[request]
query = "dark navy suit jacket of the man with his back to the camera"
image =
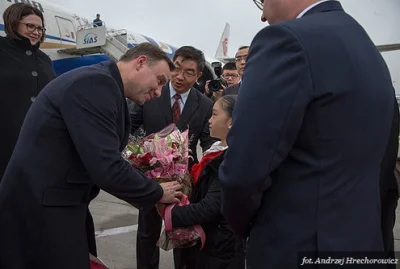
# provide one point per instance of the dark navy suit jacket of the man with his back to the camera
(309, 134)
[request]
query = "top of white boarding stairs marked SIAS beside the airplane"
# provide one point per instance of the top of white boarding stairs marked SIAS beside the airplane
(95, 40)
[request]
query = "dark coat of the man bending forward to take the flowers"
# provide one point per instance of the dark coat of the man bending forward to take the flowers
(71, 139)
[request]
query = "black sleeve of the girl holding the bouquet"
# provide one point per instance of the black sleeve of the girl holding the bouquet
(207, 210)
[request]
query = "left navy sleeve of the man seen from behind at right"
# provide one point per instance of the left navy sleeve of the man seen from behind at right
(273, 98)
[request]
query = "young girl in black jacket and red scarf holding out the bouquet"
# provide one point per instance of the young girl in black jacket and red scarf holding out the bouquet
(222, 249)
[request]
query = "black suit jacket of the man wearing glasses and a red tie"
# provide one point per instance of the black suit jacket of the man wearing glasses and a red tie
(157, 113)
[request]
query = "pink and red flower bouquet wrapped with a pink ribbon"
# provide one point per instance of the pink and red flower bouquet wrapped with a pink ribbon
(164, 157)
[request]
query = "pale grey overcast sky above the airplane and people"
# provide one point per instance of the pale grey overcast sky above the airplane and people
(200, 22)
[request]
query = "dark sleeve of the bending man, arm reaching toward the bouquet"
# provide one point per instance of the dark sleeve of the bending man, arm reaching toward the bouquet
(90, 109)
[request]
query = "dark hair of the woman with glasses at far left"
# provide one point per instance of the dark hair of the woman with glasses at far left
(13, 15)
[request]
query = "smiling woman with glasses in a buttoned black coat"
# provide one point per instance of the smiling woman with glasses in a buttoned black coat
(25, 70)
